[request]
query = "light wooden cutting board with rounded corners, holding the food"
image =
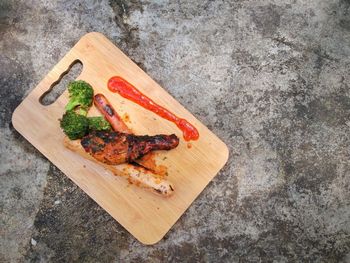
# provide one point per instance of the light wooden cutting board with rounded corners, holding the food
(145, 215)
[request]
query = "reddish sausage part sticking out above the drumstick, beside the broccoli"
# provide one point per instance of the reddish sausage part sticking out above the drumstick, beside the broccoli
(110, 114)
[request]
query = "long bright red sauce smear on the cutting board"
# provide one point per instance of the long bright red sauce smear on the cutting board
(128, 91)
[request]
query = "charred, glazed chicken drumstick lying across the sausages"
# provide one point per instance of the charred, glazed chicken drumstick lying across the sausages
(116, 147)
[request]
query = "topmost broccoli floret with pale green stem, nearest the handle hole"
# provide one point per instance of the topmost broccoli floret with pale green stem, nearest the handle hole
(80, 94)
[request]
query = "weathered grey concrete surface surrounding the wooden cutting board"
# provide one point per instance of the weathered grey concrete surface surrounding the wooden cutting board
(270, 78)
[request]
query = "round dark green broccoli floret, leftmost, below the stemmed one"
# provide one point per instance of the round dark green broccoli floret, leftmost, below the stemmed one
(74, 125)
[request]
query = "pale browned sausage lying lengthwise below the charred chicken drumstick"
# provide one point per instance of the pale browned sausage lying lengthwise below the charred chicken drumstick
(137, 175)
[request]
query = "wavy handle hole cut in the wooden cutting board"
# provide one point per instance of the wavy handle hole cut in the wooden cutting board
(59, 86)
